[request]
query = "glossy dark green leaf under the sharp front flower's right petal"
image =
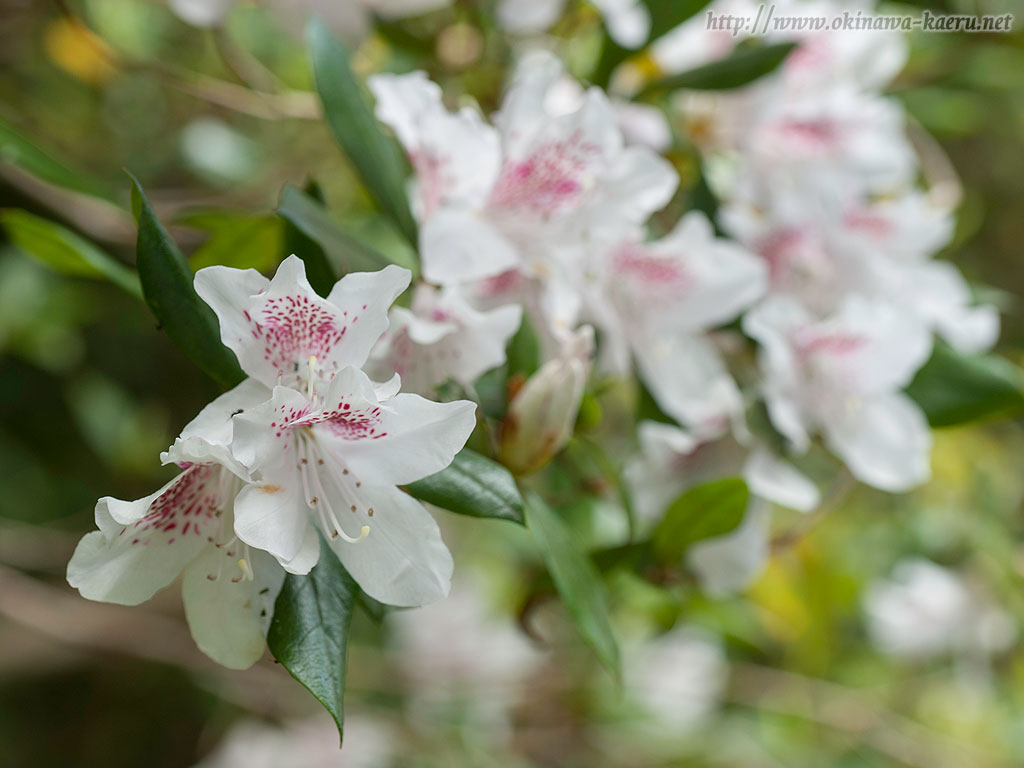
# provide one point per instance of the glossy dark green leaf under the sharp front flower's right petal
(473, 486)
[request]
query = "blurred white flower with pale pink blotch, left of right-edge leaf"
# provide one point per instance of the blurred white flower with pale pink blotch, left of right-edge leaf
(844, 376)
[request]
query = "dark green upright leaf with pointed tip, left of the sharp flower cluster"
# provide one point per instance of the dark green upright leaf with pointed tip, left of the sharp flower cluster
(167, 286)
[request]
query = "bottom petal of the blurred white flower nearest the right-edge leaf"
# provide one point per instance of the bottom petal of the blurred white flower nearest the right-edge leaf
(886, 442)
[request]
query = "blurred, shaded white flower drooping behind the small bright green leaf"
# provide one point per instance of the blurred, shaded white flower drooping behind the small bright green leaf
(672, 461)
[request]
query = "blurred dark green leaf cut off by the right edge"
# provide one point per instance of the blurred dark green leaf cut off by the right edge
(954, 389)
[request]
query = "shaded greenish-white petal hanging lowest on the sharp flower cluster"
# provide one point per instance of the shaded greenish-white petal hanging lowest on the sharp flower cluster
(229, 616)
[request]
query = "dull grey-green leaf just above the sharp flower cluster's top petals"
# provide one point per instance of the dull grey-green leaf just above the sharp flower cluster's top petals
(345, 254)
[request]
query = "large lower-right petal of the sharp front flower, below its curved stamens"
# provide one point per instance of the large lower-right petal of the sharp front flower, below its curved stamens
(403, 562)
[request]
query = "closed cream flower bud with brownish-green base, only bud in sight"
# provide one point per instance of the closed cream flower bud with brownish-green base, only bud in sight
(543, 413)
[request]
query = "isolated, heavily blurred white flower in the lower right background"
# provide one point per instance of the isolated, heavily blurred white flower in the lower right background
(925, 610)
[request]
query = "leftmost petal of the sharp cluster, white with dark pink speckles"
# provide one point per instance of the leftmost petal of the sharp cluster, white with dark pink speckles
(129, 564)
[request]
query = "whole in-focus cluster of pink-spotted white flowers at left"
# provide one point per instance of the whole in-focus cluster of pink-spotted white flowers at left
(309, 447)
